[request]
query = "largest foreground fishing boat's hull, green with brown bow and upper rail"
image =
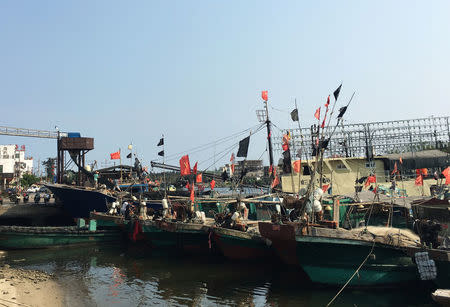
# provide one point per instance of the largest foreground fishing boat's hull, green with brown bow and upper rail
(331, 256)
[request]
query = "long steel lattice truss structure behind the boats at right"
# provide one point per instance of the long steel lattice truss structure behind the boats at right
(371, 139)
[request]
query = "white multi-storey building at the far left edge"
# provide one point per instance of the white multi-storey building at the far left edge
(13, 163)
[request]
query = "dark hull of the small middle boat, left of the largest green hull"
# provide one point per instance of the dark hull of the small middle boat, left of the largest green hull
(238, 245)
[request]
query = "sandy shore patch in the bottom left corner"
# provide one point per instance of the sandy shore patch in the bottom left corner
(21, 287)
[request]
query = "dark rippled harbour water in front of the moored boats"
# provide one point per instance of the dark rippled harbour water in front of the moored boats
(124, 276)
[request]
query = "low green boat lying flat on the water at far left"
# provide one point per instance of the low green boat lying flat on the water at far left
(22, 237)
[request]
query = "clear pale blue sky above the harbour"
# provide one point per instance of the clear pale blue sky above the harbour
(193, 71)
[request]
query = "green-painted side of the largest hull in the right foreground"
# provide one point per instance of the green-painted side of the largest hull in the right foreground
(333, 261)
